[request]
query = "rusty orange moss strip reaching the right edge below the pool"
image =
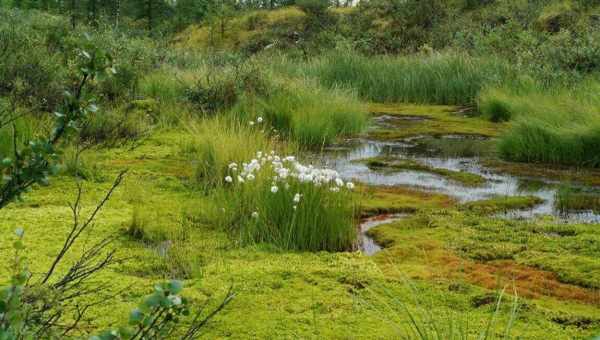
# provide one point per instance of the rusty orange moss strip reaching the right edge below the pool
(428, 259)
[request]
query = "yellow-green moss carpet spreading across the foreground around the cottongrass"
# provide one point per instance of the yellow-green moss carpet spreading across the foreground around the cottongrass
(299, 294)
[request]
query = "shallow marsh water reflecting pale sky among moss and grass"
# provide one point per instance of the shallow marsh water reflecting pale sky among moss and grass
(455, 153)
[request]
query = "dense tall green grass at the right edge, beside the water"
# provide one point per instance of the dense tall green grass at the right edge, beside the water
(555, 126)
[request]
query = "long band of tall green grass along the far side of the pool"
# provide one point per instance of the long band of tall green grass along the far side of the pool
(452, 79)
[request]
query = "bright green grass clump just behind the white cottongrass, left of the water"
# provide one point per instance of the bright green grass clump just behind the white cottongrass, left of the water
(307, 114)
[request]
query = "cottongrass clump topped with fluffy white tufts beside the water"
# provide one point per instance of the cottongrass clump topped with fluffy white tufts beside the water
(280, 201)
